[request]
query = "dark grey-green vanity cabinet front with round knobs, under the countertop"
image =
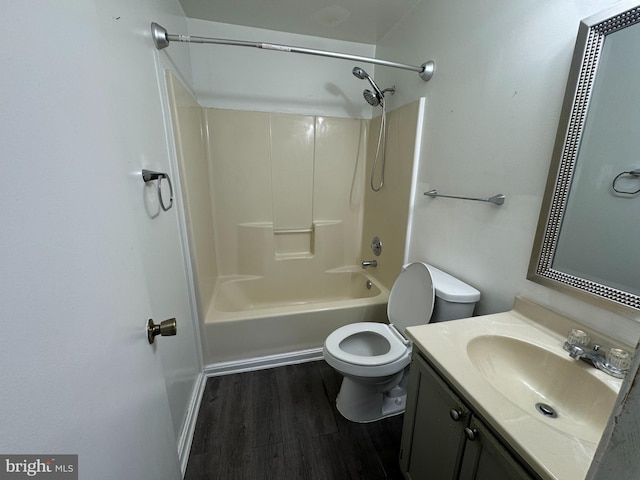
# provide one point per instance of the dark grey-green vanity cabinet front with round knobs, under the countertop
(442, 439)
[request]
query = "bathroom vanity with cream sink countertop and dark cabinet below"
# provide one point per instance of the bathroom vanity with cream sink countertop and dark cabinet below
(497, 397)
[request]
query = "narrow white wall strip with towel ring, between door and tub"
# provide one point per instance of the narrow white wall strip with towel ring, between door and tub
(137, 111)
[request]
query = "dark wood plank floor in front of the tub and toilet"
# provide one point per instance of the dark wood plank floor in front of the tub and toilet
(282, 424)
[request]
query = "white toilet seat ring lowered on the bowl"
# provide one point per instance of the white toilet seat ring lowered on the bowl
(343, 344)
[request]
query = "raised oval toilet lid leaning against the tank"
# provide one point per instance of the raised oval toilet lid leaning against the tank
(412, 296)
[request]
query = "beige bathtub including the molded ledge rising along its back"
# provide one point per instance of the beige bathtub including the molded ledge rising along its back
(282, 302)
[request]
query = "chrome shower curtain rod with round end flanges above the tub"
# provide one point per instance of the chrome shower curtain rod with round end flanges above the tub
(161, 39)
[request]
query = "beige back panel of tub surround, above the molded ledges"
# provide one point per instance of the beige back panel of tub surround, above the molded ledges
(287, 172)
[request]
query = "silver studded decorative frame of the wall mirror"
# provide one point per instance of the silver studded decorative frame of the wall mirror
(592, 33)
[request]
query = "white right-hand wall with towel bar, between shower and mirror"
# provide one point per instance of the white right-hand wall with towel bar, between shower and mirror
(491, 118)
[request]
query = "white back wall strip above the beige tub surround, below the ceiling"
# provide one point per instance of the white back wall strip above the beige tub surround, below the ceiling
(246, 78)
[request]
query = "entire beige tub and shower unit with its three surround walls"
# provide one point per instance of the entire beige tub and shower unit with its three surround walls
(278, 208)
